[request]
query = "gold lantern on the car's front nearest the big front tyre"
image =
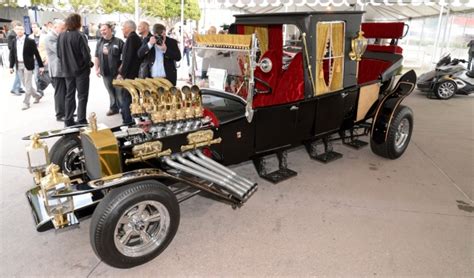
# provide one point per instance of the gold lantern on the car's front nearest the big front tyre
(59, 208)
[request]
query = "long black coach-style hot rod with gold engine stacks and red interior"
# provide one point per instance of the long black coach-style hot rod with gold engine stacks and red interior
(288, 80)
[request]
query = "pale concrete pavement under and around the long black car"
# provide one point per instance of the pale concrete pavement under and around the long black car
(361, 215)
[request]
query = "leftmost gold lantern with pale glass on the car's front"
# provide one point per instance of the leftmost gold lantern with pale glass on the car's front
(38, 158)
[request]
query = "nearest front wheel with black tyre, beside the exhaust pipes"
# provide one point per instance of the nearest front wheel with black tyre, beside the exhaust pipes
(134, 223)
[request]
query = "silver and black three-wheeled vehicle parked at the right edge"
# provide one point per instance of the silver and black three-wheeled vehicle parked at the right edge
(450, 77)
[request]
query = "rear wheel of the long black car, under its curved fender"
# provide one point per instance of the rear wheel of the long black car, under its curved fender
(399, 135)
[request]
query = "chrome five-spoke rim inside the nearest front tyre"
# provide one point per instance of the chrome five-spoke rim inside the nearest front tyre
(142, 228)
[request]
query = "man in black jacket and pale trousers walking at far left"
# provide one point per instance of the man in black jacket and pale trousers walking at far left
(22, 56)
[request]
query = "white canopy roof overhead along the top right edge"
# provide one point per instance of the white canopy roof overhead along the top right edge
(376, 10)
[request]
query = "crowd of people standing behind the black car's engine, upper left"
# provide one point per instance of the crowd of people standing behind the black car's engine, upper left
(63, 55)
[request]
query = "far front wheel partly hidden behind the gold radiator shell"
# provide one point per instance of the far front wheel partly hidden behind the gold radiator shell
(67, 154)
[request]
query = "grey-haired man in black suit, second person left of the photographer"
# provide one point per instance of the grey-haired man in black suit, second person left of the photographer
(130, 65)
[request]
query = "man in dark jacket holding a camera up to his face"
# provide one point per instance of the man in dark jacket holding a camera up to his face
(160, 54)
